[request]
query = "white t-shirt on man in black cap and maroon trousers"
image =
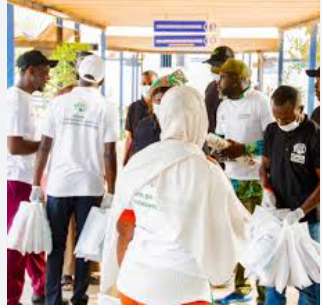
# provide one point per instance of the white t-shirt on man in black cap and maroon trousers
(20, 124)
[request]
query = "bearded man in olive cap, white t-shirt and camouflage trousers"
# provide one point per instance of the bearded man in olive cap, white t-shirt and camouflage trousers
(242, 119)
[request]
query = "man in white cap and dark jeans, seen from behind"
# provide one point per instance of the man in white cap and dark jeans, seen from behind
(80, 131)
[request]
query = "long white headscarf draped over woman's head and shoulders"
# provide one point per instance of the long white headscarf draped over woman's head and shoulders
(196, 197)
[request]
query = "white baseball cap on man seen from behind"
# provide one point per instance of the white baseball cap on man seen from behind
(92, 69)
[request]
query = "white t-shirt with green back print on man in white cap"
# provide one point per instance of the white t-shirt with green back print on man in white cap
(80, 124)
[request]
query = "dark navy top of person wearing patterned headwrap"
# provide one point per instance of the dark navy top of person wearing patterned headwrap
(148, 131)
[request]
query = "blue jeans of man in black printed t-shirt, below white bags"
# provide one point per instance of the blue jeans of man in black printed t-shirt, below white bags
(308, 296)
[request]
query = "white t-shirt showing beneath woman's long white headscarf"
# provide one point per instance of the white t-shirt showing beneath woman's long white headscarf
(156, 268)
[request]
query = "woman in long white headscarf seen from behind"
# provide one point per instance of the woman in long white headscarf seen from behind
(189, 225)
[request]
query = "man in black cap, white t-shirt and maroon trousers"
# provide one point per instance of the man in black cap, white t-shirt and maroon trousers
(33, 75)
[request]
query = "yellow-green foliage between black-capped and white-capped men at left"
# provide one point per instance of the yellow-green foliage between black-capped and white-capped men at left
(64, 74)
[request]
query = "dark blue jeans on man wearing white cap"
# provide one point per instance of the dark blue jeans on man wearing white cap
(59, 211)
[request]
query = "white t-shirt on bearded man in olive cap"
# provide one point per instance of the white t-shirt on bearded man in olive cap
(245, 121)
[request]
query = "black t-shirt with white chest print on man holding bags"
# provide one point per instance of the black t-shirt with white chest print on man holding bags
(294, 158)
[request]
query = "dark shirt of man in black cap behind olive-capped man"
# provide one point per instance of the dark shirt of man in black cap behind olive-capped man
(212, 101)
